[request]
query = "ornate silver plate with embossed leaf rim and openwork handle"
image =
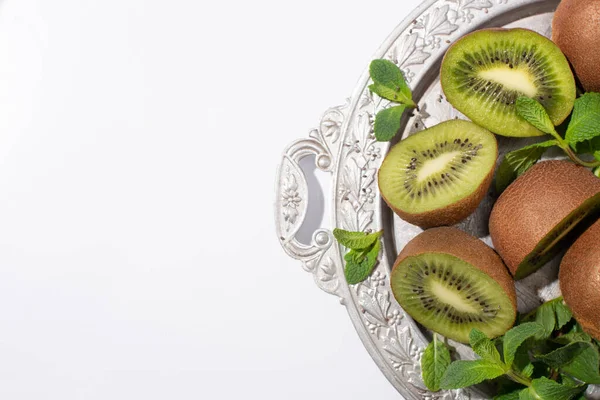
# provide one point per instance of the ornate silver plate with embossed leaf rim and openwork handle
(344, 146)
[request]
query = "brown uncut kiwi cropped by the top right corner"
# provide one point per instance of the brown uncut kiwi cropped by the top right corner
(576, 31)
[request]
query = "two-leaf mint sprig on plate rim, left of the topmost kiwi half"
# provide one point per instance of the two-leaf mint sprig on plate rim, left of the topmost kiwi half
(389, 83)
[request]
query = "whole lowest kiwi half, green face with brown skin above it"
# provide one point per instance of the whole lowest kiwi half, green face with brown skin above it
(451, 282)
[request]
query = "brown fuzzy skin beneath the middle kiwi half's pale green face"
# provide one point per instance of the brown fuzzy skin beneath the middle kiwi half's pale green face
(451, 214)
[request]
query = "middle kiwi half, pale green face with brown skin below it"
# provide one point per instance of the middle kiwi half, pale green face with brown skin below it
(439, 176)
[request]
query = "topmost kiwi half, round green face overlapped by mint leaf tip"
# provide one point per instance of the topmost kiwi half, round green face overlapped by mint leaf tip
(485, 72)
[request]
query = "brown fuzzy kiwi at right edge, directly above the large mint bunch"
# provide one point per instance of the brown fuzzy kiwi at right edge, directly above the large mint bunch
(579, 279)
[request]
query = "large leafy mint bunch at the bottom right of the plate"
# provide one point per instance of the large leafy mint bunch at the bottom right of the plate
(546, 356)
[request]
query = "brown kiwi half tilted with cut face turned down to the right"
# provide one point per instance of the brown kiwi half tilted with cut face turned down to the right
(539, 210)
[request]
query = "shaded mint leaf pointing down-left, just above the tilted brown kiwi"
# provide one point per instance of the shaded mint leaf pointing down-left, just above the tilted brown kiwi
(517, 162)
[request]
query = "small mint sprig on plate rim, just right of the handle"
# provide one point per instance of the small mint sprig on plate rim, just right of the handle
(362, 257)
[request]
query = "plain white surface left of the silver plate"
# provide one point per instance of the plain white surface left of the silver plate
(127, 130)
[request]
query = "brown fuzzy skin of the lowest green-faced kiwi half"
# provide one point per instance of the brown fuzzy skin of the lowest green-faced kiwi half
(459, 244)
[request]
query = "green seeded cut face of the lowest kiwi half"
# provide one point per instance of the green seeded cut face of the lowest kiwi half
(451, 297)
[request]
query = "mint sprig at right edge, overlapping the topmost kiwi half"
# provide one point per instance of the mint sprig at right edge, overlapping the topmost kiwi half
(582, 136)
